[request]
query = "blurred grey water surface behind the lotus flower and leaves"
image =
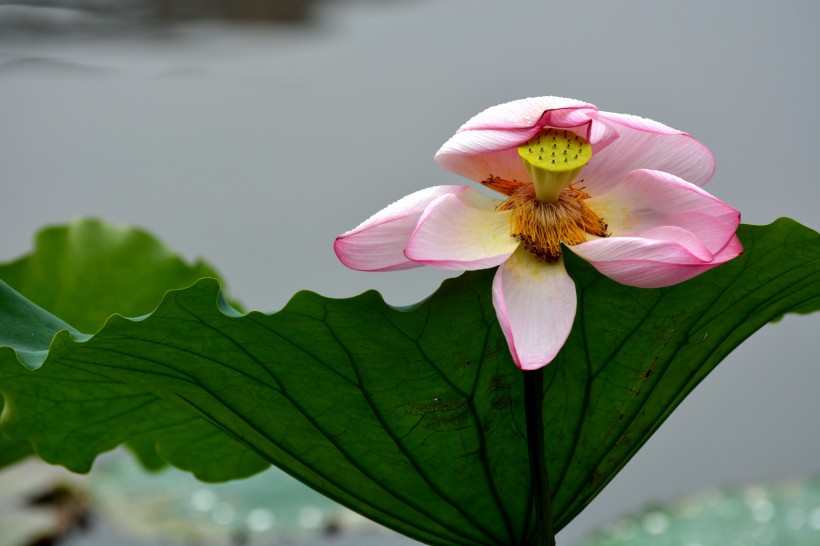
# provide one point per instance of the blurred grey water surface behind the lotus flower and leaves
(250, 133)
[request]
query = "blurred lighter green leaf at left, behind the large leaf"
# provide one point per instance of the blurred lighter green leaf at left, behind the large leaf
(85, 272)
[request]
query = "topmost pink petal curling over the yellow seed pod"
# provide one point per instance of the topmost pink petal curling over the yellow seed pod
(485, 145)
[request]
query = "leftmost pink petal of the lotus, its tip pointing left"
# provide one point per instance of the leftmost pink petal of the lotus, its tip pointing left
(378, 243)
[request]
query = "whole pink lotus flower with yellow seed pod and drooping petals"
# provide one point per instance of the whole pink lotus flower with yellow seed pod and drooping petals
(620, 191)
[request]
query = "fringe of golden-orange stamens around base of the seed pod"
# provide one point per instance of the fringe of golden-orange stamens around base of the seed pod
(542, 227)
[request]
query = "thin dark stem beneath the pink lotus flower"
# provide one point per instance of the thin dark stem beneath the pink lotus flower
(534, 407)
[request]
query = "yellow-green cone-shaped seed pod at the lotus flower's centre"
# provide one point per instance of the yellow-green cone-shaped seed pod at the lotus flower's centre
(553, 159)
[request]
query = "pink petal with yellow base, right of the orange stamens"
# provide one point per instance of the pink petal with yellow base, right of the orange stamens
(649, 199)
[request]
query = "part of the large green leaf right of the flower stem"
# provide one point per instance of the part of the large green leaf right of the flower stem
(635, 354)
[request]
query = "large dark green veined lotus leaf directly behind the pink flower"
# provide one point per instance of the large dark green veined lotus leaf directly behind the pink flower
(413, 417)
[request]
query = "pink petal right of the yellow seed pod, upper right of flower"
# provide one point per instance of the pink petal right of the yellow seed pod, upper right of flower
(645, 144)
